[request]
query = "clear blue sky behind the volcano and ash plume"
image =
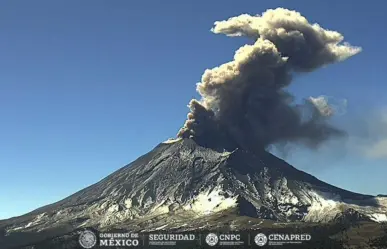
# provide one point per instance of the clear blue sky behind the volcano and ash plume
(88, 86)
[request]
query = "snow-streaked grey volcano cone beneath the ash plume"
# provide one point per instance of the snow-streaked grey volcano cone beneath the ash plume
(181, 186)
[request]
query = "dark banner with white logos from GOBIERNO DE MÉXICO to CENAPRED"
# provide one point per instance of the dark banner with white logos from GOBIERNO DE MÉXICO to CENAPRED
(215, 239)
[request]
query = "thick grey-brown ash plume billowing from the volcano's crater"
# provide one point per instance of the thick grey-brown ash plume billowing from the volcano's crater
(246, 99)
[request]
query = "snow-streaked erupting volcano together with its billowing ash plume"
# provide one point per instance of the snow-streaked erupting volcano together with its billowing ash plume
(217, 173)
